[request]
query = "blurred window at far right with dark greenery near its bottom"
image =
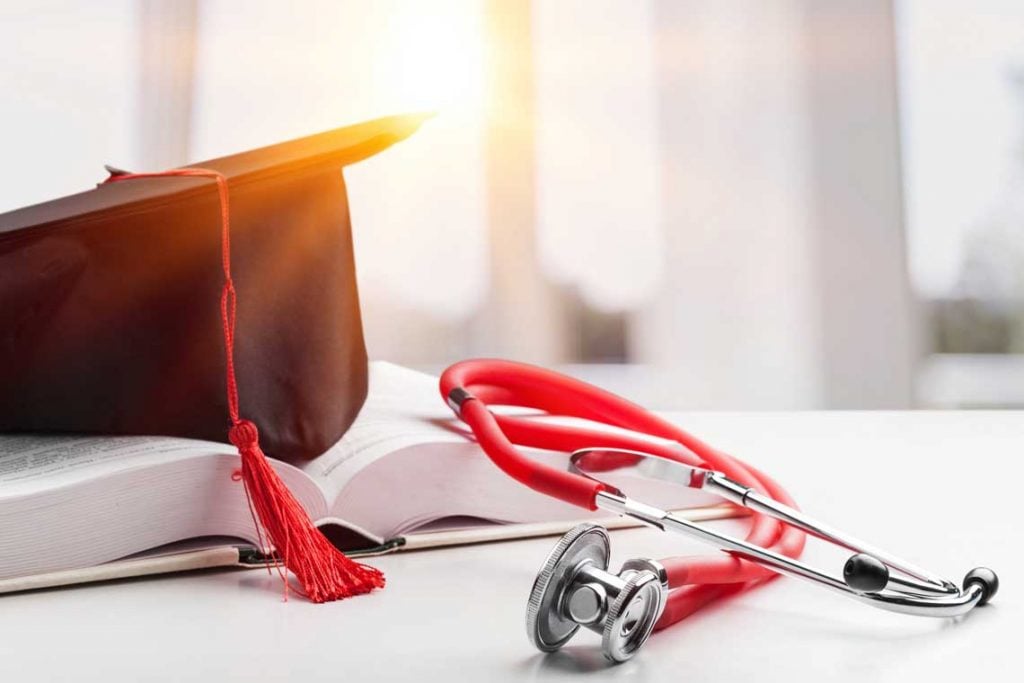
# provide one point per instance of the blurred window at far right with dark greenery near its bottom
(962, 97)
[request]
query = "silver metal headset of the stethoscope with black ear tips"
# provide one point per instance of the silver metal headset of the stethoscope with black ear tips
(867, 576)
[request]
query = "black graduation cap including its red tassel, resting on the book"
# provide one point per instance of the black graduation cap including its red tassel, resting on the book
(201, 303)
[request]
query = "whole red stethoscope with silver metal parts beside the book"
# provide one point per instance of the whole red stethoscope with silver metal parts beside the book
(575, 587)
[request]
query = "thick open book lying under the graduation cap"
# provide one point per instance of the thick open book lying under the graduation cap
(406, 476)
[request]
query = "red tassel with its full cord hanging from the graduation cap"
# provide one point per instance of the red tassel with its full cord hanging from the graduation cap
(322, 570)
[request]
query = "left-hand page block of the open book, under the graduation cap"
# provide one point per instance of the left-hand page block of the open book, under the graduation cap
(72, 502)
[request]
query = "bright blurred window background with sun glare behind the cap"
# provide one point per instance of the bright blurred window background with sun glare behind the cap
(782, 204)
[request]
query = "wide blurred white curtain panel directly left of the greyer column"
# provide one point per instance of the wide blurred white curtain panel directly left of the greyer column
(736, 323)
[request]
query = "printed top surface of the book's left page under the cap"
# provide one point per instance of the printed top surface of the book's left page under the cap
(44, 461)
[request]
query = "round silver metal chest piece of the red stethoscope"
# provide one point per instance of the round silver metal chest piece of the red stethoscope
(575, 588)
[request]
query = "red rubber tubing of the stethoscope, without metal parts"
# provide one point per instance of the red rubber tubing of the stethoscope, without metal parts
(697, 581)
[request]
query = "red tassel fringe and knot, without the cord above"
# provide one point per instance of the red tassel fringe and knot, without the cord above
(322, 570)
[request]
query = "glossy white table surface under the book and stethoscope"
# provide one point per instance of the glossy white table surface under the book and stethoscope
(942, 489)
